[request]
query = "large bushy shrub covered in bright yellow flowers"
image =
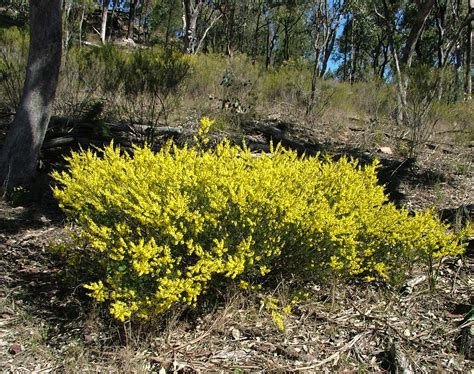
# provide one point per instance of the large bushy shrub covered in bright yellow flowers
(166, 227)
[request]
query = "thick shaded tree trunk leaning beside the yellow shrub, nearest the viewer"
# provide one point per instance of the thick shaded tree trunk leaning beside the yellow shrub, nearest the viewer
(19, 154)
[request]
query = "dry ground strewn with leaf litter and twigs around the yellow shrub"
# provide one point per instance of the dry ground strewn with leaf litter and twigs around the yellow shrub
(47, 324)
